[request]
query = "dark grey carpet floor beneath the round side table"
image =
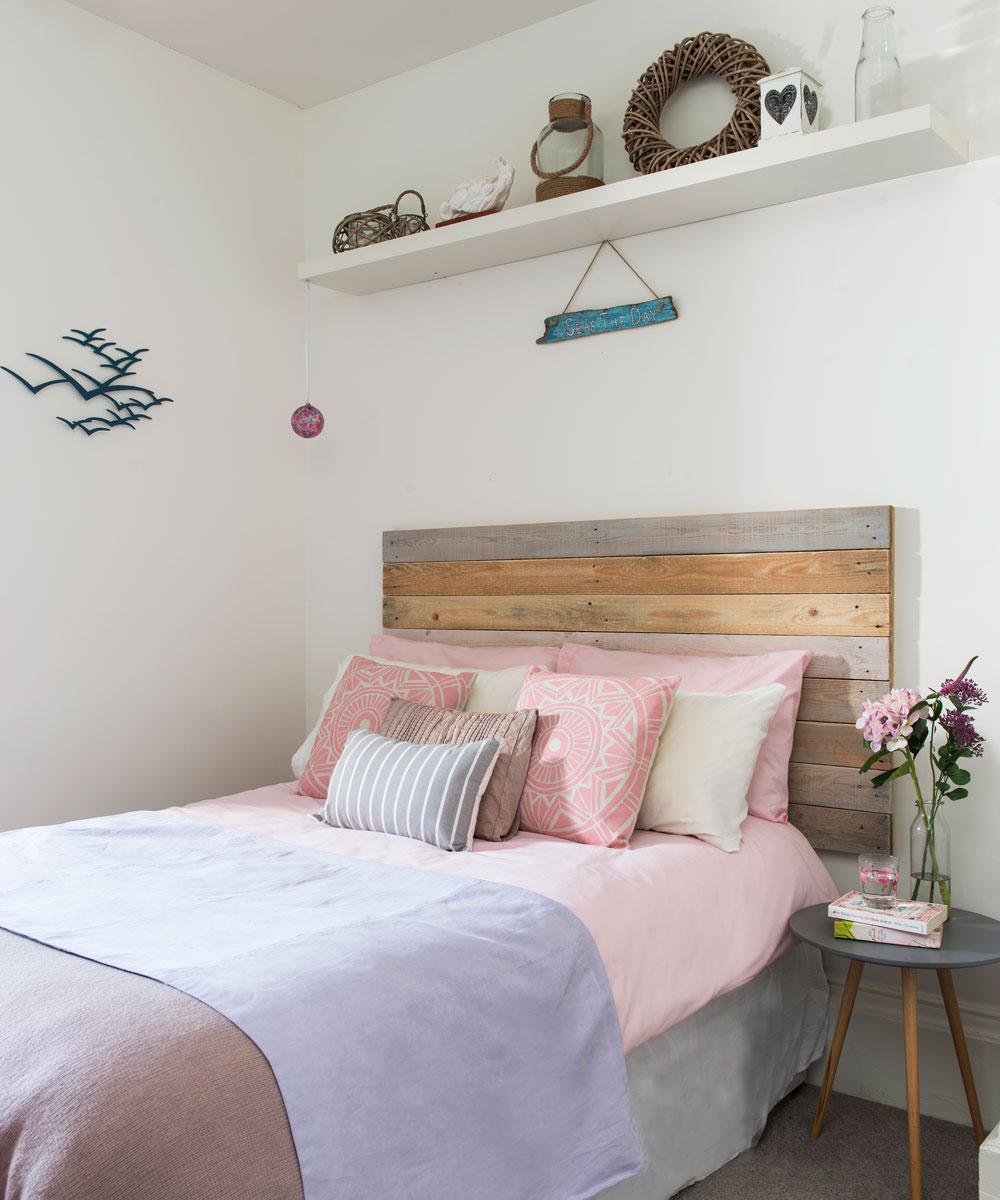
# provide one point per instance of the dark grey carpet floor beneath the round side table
(861, 1155)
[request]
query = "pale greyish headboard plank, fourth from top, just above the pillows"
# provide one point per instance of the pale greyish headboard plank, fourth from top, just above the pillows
(834, 658)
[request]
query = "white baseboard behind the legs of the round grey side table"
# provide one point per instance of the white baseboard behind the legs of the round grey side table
(872, 1065)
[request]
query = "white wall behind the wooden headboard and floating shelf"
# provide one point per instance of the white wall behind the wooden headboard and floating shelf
(835, 352)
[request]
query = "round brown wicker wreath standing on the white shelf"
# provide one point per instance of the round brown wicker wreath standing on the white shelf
(742, 68)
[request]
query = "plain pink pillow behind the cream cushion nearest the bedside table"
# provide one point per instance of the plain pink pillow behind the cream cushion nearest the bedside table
(769, 794)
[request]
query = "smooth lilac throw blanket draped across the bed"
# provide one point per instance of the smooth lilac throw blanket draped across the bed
(434, 1039)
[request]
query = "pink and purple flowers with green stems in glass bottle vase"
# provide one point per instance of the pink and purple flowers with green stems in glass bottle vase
(943, 722)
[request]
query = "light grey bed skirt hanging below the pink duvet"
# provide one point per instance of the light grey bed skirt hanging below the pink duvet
(702, 1091)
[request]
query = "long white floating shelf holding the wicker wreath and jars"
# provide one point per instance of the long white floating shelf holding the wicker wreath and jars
(785, 170)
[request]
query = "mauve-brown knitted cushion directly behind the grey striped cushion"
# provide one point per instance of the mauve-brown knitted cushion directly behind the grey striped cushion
(427, 725)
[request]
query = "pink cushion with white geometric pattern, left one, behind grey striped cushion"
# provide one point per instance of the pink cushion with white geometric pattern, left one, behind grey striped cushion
(360, 703)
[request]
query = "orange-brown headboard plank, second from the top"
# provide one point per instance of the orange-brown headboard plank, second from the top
(833, 571)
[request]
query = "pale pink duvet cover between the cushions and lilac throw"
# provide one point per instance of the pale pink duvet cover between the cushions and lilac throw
(678, 922)
